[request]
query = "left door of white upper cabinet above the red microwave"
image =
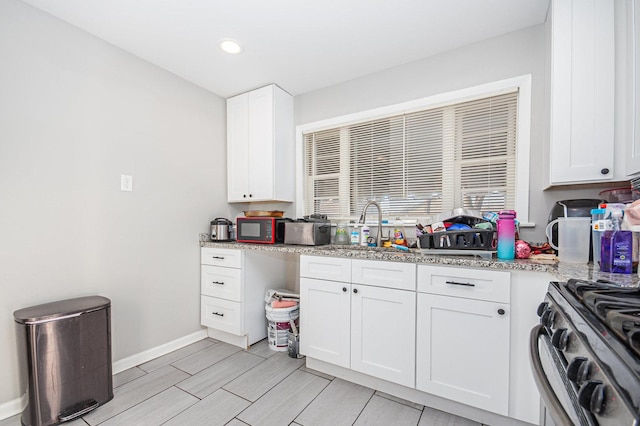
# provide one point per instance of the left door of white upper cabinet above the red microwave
(238, 148)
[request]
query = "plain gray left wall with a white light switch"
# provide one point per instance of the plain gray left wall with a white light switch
(75, 113)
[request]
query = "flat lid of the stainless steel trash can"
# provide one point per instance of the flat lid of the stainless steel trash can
(62, 308)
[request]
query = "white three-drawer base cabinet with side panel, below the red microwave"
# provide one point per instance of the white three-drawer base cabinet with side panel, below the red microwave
(233, 284)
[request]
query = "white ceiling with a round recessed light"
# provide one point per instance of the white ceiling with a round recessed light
(301, 45)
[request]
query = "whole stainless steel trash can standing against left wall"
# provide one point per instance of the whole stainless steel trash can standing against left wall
(64, 351)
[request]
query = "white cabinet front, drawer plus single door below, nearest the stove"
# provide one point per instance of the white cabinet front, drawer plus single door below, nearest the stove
(463, 336)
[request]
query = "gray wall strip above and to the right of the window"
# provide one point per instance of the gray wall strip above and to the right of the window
(518, 53)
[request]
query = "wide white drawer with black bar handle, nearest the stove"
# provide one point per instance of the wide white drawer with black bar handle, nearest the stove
(479, 284)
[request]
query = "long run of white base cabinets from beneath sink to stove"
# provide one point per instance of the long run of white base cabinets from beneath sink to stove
(455, 338)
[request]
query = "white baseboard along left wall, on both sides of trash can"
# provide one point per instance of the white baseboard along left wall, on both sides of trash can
(15, 406)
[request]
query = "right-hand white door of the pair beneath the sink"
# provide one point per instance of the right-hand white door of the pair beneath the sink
(383, 333)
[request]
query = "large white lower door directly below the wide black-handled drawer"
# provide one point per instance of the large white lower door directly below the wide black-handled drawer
(463, 351)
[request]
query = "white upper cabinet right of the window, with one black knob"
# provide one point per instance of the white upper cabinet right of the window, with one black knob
(582, 85)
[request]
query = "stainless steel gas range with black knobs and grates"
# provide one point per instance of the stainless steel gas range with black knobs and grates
(586, 353)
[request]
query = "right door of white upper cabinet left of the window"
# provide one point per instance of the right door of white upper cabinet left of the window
(261, 144)
